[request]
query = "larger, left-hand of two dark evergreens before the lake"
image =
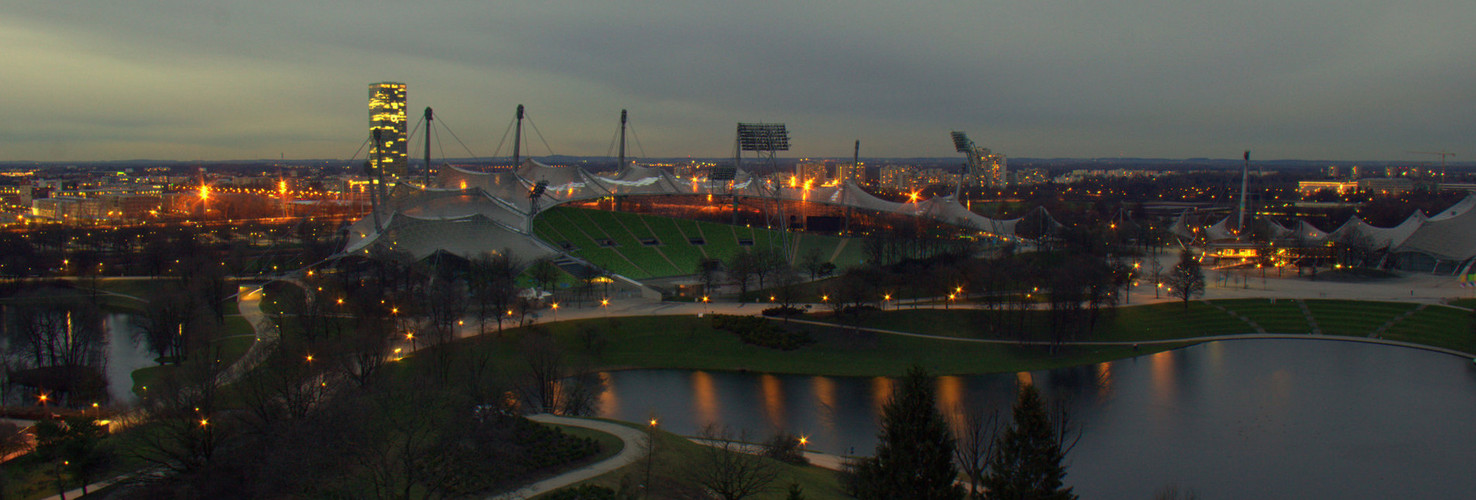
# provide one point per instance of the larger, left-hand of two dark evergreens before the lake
(916, 452)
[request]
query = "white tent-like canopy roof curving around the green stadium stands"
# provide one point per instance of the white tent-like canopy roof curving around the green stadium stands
(472, 213)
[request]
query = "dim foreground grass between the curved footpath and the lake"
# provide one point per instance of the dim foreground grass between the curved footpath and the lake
(675, 458)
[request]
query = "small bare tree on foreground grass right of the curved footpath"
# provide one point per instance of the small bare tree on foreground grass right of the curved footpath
(728, 471)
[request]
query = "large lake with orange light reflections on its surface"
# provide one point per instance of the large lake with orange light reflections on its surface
(1241, 420)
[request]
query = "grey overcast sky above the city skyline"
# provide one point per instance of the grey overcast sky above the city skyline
(1049, 79)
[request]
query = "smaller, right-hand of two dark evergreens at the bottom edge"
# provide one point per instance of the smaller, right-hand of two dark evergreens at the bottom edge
(1028, 458)
